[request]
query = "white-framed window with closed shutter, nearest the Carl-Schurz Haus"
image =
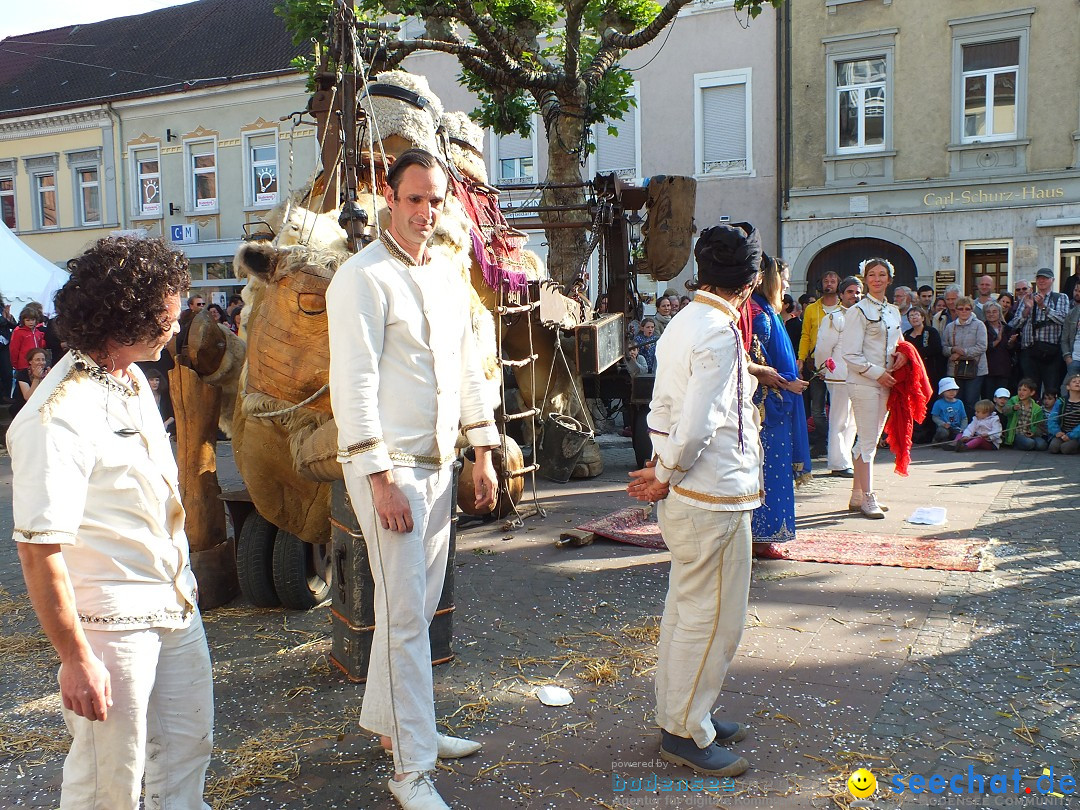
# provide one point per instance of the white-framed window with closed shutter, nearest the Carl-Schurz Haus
(723, 124)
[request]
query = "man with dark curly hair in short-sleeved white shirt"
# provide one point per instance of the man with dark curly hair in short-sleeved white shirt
(100, 529)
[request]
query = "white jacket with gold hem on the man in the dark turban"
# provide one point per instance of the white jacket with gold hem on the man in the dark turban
(703, 420)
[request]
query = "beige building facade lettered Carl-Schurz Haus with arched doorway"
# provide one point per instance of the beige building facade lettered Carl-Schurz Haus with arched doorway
(942, 137)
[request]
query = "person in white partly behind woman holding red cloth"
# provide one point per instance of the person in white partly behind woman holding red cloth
(842, 424)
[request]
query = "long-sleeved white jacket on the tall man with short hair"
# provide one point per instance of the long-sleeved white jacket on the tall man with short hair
(406, 372)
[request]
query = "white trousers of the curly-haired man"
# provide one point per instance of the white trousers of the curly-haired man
(161, 724)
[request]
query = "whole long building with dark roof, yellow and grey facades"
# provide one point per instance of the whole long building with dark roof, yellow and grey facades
(174, 124)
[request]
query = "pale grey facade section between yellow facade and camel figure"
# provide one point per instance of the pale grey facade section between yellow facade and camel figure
(204, 168)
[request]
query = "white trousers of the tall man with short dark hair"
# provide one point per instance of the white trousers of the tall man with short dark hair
(409, 570)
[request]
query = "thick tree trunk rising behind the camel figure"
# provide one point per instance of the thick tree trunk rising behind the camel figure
(566, 247)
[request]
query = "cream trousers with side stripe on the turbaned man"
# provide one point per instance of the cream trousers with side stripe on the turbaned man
(705, 614)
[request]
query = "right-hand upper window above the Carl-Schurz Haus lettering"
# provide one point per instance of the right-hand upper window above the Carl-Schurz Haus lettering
(991, 76)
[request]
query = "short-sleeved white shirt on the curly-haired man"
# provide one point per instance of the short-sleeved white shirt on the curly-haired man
(112, 503)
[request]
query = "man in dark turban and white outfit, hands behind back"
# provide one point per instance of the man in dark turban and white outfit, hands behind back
(707, 477)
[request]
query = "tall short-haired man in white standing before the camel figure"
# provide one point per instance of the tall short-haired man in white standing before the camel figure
(406, 376)
